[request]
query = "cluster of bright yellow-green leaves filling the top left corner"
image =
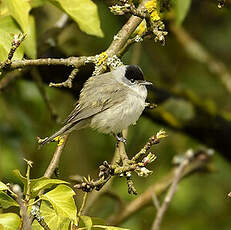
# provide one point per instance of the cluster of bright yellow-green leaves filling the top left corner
(19, 10)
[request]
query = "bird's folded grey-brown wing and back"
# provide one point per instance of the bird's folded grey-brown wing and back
(96, 96)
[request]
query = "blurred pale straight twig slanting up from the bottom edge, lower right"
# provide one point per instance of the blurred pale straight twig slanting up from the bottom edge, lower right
(172, 189)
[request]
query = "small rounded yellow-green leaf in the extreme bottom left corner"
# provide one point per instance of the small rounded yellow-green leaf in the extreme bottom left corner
(10, 221)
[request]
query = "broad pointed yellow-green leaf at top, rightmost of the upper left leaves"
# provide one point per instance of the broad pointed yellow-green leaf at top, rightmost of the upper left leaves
(85, 13)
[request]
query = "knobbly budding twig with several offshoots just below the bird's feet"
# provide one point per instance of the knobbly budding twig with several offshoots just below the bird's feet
(123, 168)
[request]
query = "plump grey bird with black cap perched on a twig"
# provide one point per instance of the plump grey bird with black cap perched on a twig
(109, 103)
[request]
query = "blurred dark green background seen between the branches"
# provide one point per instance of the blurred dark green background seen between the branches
(201, 200)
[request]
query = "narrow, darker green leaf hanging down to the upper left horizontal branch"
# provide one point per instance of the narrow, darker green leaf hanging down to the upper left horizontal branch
(30, 44)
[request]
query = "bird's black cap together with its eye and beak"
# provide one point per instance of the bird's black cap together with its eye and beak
(135, 74)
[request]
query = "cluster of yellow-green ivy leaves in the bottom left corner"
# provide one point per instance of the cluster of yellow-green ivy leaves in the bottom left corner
(58, 207)
